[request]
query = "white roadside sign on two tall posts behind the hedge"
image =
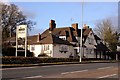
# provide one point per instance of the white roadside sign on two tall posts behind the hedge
(21, 33)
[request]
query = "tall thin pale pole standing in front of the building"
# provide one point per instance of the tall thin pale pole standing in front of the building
(80, 46)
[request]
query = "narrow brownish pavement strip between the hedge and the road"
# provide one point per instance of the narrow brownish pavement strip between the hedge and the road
(57, 63)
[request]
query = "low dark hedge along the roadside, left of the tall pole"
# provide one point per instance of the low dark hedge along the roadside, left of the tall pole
(34, 60)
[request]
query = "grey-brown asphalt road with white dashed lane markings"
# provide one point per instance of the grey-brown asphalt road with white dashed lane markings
(91, 70)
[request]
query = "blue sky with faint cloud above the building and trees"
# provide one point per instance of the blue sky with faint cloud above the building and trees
(67, 13)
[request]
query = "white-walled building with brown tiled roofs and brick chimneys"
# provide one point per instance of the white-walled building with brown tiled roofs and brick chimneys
(64, 42)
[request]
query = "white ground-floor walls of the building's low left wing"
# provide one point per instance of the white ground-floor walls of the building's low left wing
(54, 50)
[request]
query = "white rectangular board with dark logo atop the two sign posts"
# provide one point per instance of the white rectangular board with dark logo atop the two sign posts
(22, 31)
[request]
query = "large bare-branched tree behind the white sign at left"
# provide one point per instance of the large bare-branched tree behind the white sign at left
(12, 16)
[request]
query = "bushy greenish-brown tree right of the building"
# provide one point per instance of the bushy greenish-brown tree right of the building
(106, 32)
